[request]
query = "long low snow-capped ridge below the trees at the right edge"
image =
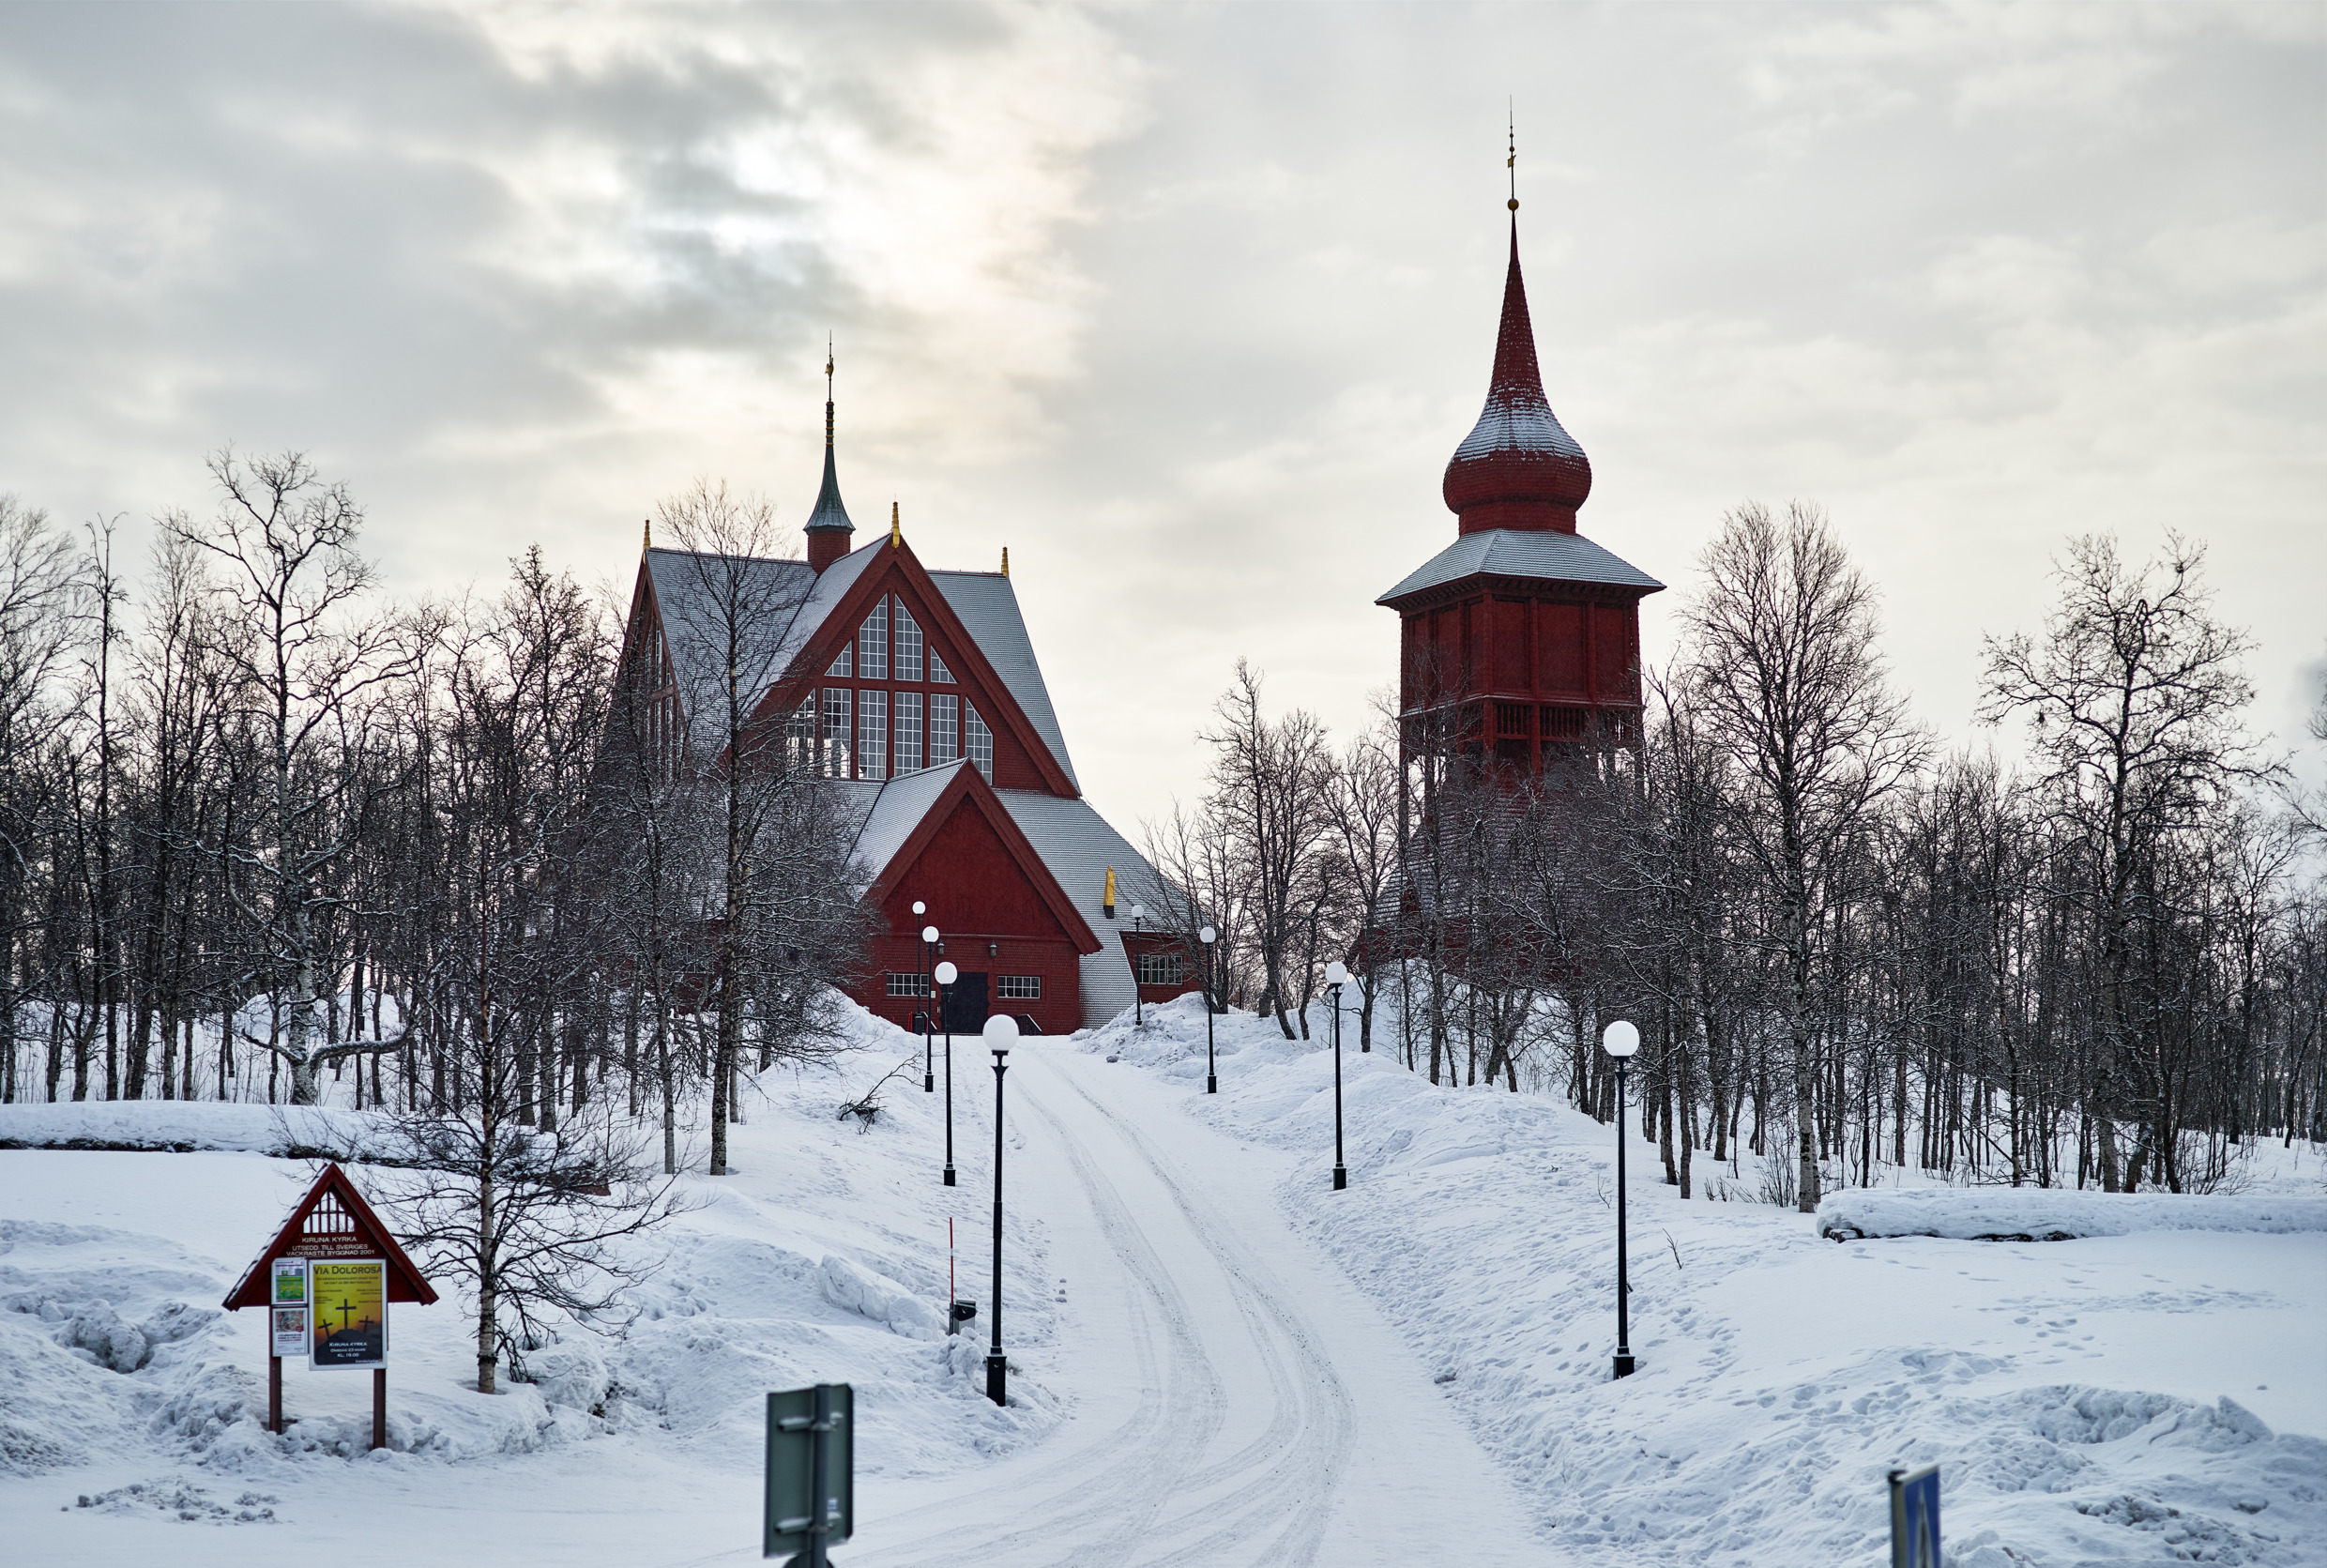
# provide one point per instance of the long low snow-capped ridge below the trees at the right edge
(2056, 1216)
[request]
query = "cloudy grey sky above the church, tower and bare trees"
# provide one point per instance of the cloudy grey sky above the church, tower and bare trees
(1188, 306)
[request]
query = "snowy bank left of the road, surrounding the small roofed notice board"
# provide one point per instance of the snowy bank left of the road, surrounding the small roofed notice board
(823, 1260)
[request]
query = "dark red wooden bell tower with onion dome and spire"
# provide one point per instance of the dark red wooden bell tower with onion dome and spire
(1521, 641)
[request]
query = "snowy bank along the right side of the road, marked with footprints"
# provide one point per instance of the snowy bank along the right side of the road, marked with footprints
(2105, 1402)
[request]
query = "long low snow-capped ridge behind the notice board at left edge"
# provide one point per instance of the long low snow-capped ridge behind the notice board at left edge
(185, 1127)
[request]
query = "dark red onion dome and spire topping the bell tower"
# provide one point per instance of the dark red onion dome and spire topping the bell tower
(1518, 469)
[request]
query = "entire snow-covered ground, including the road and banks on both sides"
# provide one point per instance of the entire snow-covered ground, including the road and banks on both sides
(1218, 1357)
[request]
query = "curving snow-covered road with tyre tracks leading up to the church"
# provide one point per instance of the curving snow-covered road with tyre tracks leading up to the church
(1237, 1402)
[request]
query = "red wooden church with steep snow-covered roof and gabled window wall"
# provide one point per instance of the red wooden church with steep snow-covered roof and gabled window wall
(923, 704)
